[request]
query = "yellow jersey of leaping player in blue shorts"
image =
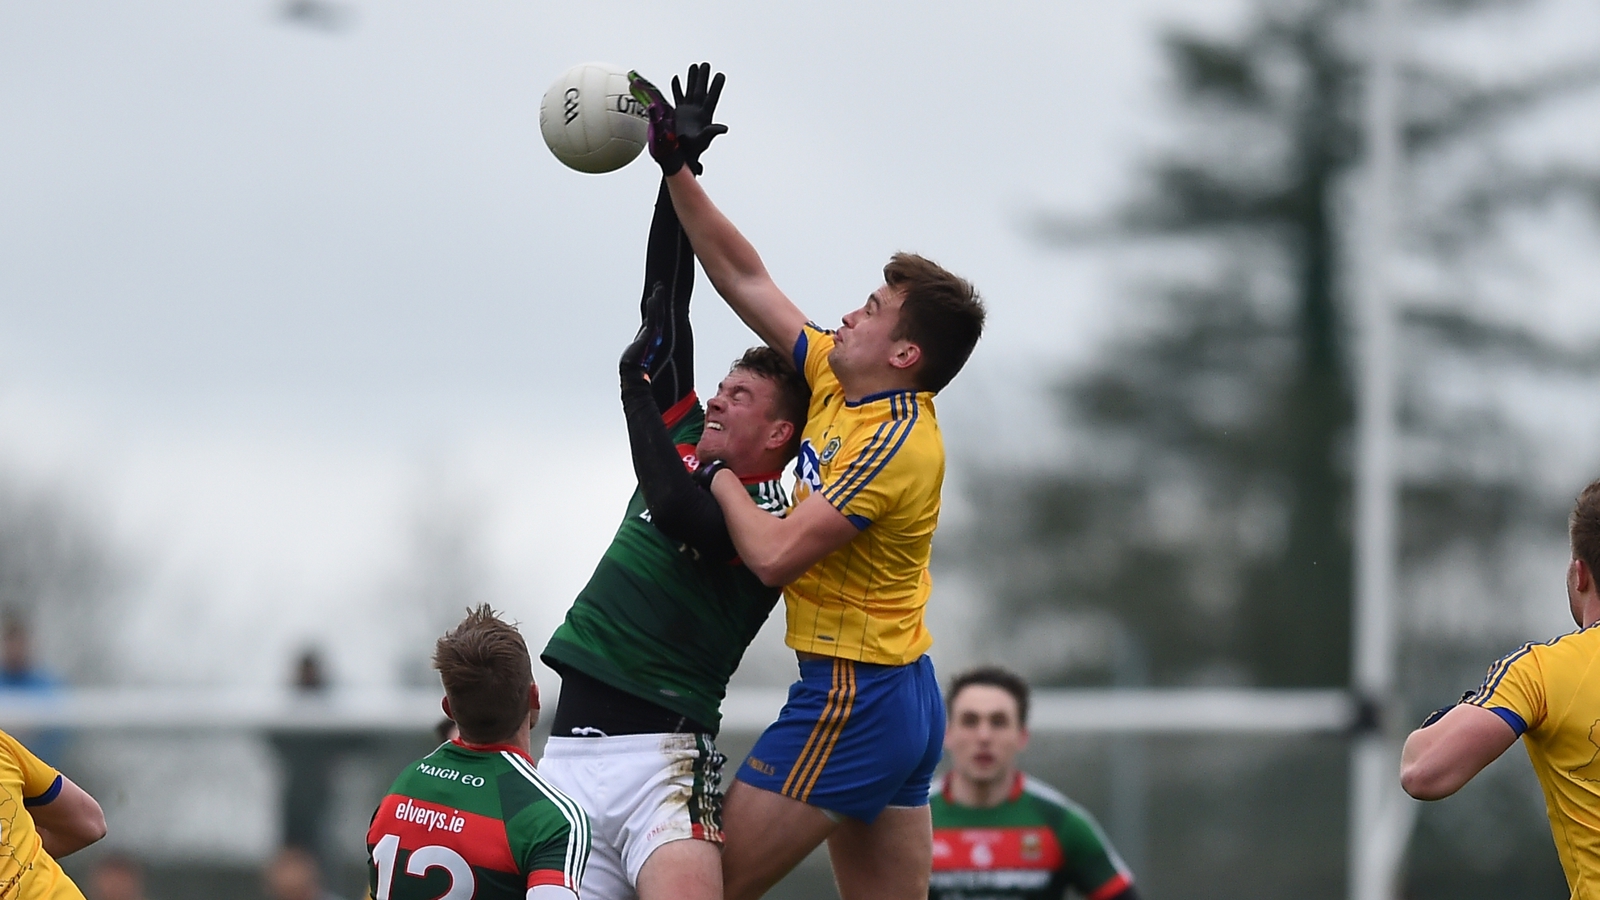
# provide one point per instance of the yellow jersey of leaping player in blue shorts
(881, 462)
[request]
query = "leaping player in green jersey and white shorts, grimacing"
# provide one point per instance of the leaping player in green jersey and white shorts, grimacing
(649, 646)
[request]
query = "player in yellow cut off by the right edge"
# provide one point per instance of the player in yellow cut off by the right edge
(1548, 696)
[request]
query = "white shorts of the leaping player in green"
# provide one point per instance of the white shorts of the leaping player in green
(641, 792)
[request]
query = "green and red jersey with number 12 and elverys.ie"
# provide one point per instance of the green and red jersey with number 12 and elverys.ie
(474, 824)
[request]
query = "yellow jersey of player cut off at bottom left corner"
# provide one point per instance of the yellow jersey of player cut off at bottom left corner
(26, 870)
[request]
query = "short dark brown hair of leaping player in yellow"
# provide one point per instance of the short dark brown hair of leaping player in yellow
(942, 315)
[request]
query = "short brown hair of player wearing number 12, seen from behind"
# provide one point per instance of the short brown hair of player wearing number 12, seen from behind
(484, 664)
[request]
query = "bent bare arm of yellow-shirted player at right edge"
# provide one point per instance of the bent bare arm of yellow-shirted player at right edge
(1442, 757)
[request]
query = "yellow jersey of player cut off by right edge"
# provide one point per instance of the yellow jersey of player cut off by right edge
(1550, 694)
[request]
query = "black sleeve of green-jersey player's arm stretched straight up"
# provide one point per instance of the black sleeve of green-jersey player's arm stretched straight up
(670, 260)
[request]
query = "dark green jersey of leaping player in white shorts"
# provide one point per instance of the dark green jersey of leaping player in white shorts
(655, 619)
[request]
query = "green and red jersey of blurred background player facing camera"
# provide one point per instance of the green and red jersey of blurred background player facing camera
(1030, 848)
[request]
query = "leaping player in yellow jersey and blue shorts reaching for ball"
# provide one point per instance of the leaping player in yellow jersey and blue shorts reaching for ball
(852, 757)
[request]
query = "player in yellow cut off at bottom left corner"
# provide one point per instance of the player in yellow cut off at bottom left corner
(44, 818)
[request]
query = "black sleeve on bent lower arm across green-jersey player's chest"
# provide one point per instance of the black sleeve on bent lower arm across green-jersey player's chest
(678, 507)
